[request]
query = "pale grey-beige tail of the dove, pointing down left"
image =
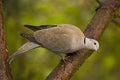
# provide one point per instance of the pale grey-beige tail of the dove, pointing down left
(26, 47)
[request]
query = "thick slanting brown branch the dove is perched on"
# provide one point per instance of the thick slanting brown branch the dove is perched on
(95, 28)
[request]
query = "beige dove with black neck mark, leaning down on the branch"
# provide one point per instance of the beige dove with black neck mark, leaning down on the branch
(58, 38)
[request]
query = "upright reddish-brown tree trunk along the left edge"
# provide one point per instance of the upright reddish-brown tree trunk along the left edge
(4, 67)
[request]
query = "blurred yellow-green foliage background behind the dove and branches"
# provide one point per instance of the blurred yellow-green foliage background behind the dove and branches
(38, 63)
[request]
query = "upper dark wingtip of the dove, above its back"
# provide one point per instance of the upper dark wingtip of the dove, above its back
(35, 28)
